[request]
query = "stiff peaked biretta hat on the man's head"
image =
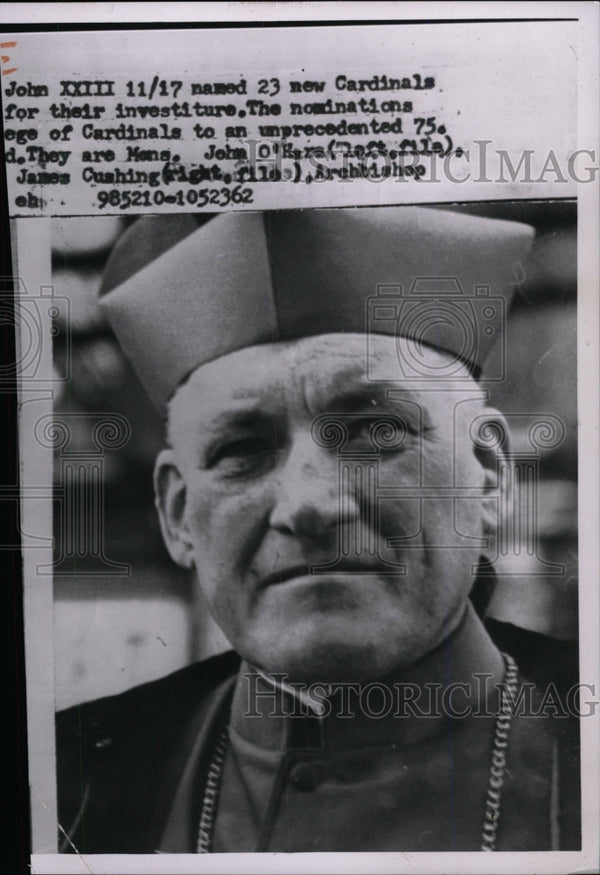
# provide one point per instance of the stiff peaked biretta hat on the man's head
(179, 294)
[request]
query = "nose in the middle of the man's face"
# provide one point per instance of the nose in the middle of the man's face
(310, 500)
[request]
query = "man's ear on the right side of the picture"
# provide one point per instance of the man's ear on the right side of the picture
(492, 450)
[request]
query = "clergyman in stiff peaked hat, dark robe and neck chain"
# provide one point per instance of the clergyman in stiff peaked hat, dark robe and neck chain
(325, 481)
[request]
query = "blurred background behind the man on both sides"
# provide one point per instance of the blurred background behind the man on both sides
(125, 614)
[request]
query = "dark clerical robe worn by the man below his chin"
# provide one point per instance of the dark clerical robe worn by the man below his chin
(401, 766)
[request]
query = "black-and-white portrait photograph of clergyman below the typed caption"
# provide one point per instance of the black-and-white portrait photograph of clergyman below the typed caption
(332, 477)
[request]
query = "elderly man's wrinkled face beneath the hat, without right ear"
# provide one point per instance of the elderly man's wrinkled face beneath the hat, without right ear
(257, 499)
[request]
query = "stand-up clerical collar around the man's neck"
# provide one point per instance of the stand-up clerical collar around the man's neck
(457, 679)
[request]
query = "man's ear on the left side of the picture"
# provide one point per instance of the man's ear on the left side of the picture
(170, 501)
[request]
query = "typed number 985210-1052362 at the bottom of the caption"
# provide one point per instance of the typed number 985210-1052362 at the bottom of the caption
(194, 197)
